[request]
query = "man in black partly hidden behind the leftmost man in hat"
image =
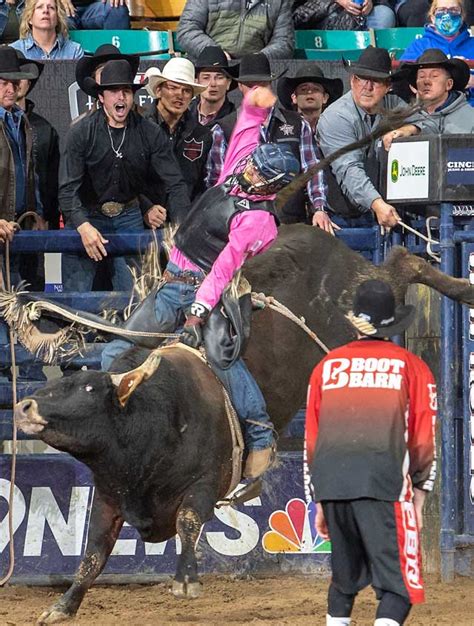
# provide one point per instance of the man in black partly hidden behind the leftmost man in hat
(45, 152)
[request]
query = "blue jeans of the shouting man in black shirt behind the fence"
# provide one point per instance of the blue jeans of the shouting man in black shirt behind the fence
(78, 271)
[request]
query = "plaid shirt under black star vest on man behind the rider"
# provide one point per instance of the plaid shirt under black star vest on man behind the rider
(309, 156)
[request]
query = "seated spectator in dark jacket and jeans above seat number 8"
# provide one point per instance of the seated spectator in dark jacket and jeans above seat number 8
(344, 15)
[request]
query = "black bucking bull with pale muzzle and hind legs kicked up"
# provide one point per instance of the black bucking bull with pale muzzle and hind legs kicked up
(163, 460)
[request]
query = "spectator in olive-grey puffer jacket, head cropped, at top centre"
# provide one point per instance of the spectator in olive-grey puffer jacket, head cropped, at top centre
(239, 28)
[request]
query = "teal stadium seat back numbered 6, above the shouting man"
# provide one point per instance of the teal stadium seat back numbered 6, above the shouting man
(128, 41)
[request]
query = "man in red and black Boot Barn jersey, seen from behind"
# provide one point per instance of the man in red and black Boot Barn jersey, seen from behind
(371, 456)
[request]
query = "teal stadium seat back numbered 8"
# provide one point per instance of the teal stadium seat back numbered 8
(333, 39)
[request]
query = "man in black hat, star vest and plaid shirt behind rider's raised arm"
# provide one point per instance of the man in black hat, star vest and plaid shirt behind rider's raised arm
(282, 126)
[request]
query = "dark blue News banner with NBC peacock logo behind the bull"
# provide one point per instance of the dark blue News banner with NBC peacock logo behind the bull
(52, 503)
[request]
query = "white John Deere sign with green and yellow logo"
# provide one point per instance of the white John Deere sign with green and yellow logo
(408, 171)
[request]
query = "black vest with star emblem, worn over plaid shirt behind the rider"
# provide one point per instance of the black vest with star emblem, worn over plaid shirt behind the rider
(285, 127)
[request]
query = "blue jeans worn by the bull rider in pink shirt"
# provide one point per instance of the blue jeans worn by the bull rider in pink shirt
(171, 302)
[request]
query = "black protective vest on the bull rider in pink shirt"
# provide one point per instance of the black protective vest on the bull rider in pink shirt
(205, 231)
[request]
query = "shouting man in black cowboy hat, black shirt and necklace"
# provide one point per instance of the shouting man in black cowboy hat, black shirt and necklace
(111, 157)
